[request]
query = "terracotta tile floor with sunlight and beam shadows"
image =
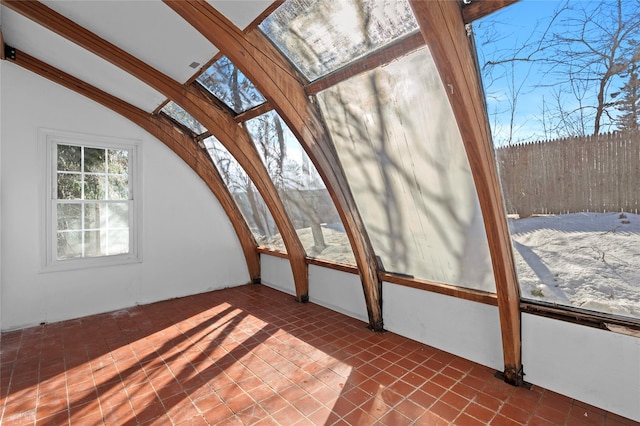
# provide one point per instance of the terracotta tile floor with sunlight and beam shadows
(251, 355)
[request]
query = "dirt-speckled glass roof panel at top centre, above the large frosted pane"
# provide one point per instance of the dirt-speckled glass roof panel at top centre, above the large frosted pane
(320, 36)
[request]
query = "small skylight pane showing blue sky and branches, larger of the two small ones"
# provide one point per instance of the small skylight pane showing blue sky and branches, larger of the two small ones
(228, 84)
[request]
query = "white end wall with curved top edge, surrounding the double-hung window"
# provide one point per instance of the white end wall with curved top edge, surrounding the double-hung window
(188, 244)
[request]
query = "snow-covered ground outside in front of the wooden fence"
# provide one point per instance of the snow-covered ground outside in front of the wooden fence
(587, 260)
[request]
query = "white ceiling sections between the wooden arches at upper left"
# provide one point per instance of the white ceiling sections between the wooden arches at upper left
(149, 30)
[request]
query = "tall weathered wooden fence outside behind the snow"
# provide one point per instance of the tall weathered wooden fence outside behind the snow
(594, 173)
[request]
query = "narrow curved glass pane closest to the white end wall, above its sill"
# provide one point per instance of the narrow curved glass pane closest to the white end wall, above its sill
(246, 196)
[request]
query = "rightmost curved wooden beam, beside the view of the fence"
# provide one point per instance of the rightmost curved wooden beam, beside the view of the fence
(443, 29)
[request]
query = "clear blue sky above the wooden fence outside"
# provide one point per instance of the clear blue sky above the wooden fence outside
(499, 35)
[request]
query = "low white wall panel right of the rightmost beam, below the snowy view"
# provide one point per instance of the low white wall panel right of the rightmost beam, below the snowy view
(595, 366)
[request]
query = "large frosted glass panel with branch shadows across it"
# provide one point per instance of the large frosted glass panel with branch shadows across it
(401, 150)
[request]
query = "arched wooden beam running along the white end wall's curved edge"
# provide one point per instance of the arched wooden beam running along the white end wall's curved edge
(164, 130)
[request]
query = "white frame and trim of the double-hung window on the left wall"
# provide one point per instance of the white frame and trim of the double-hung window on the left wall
(48, 141)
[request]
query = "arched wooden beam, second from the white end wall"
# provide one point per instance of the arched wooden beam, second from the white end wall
(221, 124)
